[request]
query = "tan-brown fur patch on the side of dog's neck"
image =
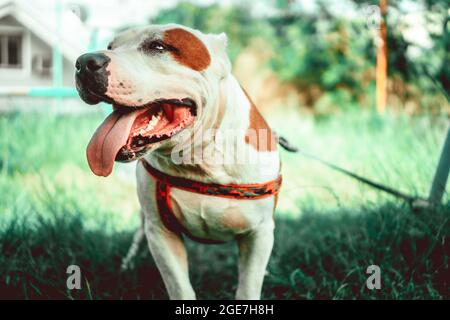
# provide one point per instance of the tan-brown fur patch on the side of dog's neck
(259, 134)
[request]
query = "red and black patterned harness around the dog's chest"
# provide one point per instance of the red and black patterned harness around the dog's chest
(165, 182)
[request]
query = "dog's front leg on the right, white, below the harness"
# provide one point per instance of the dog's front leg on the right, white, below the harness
(254, 254)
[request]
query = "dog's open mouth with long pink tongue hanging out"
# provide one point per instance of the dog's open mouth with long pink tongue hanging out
(128, 132)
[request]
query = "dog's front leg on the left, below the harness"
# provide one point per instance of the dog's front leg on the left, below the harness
(170, 255)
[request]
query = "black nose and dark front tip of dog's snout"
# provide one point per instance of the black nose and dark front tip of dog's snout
(91, 77)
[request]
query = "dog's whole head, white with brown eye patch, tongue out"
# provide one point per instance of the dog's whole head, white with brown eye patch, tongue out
(160, 81)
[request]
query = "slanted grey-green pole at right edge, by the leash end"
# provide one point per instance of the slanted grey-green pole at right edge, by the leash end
(441, 175)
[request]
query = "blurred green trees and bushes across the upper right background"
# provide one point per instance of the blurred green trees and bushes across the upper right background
(330, 59)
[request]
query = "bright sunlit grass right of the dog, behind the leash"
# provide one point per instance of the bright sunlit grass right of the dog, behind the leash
(396, 150)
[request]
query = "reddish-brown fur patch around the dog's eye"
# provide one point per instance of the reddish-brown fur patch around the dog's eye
(190, 51)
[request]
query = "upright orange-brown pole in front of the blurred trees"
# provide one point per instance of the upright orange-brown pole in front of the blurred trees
(382, 61)
